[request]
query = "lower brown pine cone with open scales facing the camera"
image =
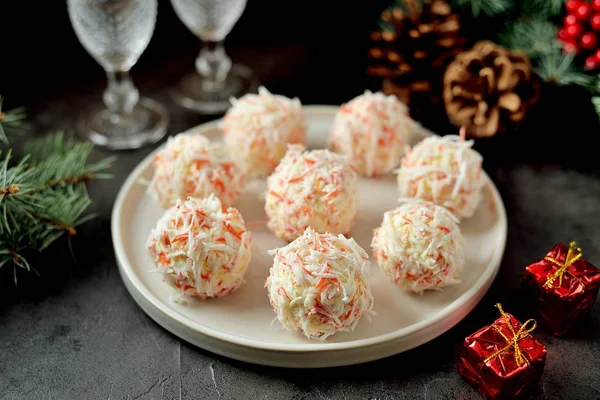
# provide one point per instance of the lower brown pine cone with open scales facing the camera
(488, 89)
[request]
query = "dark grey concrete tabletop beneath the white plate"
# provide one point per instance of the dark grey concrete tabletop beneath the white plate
(75, 333)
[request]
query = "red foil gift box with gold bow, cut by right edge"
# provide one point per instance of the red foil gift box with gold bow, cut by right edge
(565, 287)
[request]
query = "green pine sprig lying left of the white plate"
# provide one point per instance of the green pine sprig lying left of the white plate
(44, 197)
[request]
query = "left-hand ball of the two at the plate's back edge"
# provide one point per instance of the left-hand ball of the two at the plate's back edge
(258, 128)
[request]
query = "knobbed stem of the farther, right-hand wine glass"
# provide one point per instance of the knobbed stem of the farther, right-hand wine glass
(213, 65)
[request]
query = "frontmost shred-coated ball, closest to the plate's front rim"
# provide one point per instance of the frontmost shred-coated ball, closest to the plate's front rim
(320, 284)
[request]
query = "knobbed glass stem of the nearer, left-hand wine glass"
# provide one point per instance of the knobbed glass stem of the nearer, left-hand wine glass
(121, 95)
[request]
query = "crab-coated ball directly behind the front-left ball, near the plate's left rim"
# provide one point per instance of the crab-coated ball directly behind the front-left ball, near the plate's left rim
(193, 166)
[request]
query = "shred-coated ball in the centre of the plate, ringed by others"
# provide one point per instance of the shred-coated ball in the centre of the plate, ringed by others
(316, 189)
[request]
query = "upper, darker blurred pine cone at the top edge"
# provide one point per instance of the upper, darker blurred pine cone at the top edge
(418, 39)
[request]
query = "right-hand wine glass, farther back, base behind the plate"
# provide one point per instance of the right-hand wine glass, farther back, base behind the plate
(216, 80)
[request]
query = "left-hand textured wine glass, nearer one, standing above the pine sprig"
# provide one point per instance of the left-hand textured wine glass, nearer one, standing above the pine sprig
(116, 33)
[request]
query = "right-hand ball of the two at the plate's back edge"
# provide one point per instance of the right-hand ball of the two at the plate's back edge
(372, 130)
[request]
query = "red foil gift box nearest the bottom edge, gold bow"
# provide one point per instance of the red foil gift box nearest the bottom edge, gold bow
(503, 360)
